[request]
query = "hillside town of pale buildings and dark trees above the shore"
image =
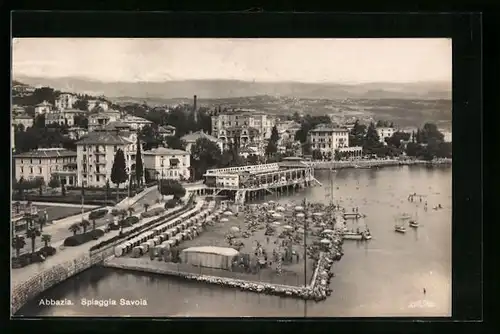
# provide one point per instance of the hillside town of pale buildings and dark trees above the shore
(74, 138)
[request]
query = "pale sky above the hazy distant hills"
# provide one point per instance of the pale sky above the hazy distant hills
(260, 60)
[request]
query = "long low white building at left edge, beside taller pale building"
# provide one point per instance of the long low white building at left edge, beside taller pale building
(44, 162)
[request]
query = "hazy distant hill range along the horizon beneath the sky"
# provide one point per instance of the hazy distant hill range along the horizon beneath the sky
(216, 89)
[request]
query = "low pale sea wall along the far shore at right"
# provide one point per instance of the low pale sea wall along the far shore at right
(377, 163)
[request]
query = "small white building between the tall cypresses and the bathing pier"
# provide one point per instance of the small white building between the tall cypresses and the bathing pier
(166, 163)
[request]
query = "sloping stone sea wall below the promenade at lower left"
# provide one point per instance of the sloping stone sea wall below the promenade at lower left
(28, 290)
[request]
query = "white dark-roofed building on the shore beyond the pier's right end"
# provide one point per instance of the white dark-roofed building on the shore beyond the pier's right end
(327, 139)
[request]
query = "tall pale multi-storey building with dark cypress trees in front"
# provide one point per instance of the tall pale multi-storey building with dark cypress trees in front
(96, 153)
